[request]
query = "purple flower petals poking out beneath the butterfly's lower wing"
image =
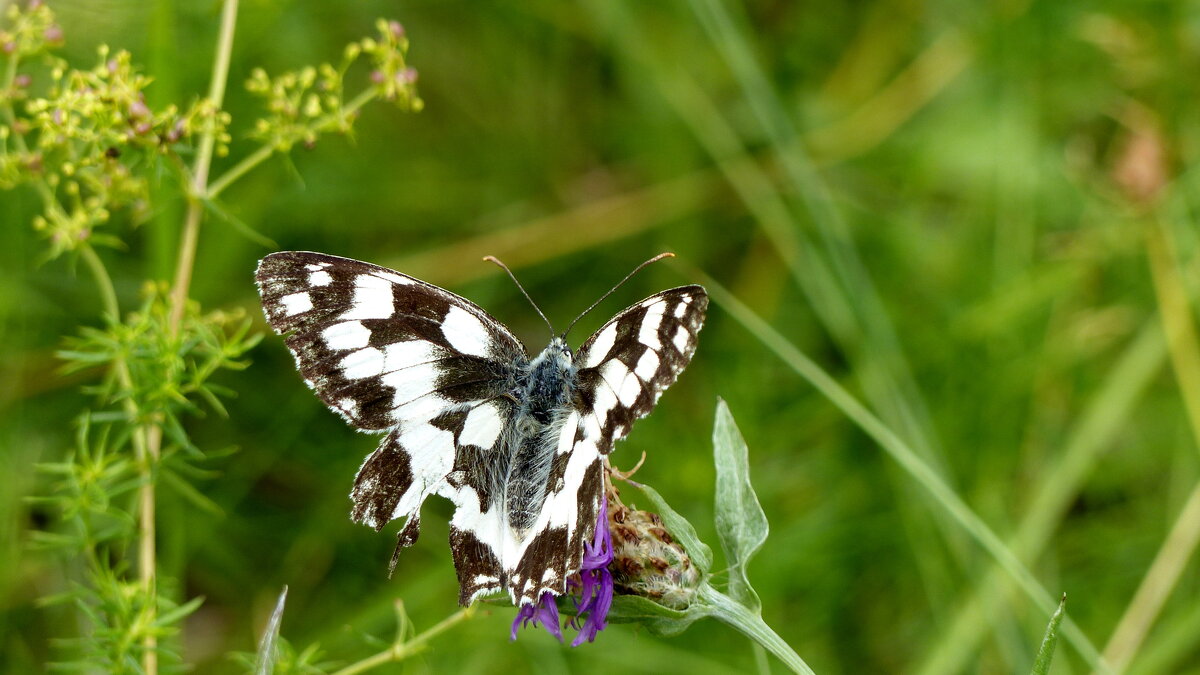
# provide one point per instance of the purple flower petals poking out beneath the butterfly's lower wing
(595, 590)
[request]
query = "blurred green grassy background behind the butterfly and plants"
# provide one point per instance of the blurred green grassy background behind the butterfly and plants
(952, 208)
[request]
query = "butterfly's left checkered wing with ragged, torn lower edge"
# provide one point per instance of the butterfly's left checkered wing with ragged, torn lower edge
(393, 354)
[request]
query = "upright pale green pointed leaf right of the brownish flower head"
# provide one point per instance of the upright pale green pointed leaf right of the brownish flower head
(741, 522)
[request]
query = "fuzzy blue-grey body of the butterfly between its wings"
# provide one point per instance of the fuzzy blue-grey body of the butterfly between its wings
(544, 391)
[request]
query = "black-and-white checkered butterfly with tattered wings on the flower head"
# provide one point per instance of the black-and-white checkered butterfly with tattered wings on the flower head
(517, 444)
